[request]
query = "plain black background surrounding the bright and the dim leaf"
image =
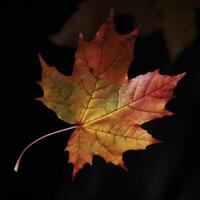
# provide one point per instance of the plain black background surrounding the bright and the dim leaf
(169, 170)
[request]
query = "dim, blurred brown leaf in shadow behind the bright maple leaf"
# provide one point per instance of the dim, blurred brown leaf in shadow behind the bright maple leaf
(163, 15)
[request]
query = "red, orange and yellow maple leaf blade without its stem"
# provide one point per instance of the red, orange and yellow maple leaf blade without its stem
(107, 107)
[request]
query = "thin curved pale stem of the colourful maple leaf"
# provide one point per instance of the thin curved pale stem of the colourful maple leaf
(16, 168)
